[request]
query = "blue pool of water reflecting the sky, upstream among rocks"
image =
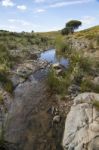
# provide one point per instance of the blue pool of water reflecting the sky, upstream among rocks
(52, 57)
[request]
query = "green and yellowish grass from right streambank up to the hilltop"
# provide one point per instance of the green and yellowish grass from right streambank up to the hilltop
(80, 66)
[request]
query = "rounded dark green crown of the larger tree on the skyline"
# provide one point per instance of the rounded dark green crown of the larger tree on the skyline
(73, 25)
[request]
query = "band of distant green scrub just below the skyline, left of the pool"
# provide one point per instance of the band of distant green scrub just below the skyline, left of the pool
(24, 40)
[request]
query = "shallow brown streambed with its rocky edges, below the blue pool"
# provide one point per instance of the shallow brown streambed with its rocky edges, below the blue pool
(34, 117)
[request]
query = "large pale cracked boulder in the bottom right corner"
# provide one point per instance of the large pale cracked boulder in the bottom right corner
(82, 124)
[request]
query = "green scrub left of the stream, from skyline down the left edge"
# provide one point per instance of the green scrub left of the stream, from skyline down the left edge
(16, 47)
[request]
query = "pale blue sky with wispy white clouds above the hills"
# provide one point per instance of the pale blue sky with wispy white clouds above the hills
(46, 15)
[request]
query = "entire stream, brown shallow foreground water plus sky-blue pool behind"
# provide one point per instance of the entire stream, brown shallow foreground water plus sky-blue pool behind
(29, 122)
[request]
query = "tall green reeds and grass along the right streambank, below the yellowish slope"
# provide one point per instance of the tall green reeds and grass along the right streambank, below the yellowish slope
(81, 70)
